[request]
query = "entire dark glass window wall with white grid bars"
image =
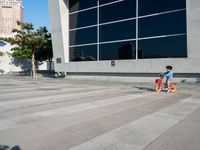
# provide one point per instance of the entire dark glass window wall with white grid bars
(127, 29)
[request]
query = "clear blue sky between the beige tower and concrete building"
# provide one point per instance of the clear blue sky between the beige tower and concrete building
(36, 12)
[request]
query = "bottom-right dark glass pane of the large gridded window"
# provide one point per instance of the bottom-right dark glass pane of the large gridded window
(168, 47)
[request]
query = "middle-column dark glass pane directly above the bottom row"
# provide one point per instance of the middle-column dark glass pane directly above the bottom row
(118, 31)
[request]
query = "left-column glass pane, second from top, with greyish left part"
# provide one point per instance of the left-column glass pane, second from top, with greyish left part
(85, 18)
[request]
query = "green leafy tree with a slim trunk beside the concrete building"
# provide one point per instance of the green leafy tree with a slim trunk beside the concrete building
(31, 44)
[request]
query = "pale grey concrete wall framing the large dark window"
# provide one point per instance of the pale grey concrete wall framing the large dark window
(59, 16)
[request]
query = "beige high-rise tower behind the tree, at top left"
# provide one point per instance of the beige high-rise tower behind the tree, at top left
(11, 11)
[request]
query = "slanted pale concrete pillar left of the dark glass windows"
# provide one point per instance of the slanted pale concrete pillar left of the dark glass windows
(59, 19)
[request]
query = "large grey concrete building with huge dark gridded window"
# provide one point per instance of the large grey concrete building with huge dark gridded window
(137, 36)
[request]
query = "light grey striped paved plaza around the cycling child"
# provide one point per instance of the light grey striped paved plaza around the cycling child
(60, 114)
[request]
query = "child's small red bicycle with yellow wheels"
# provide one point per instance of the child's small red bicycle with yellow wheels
(160, 85)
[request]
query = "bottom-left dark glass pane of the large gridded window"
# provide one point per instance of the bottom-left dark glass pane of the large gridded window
(83, 53)
